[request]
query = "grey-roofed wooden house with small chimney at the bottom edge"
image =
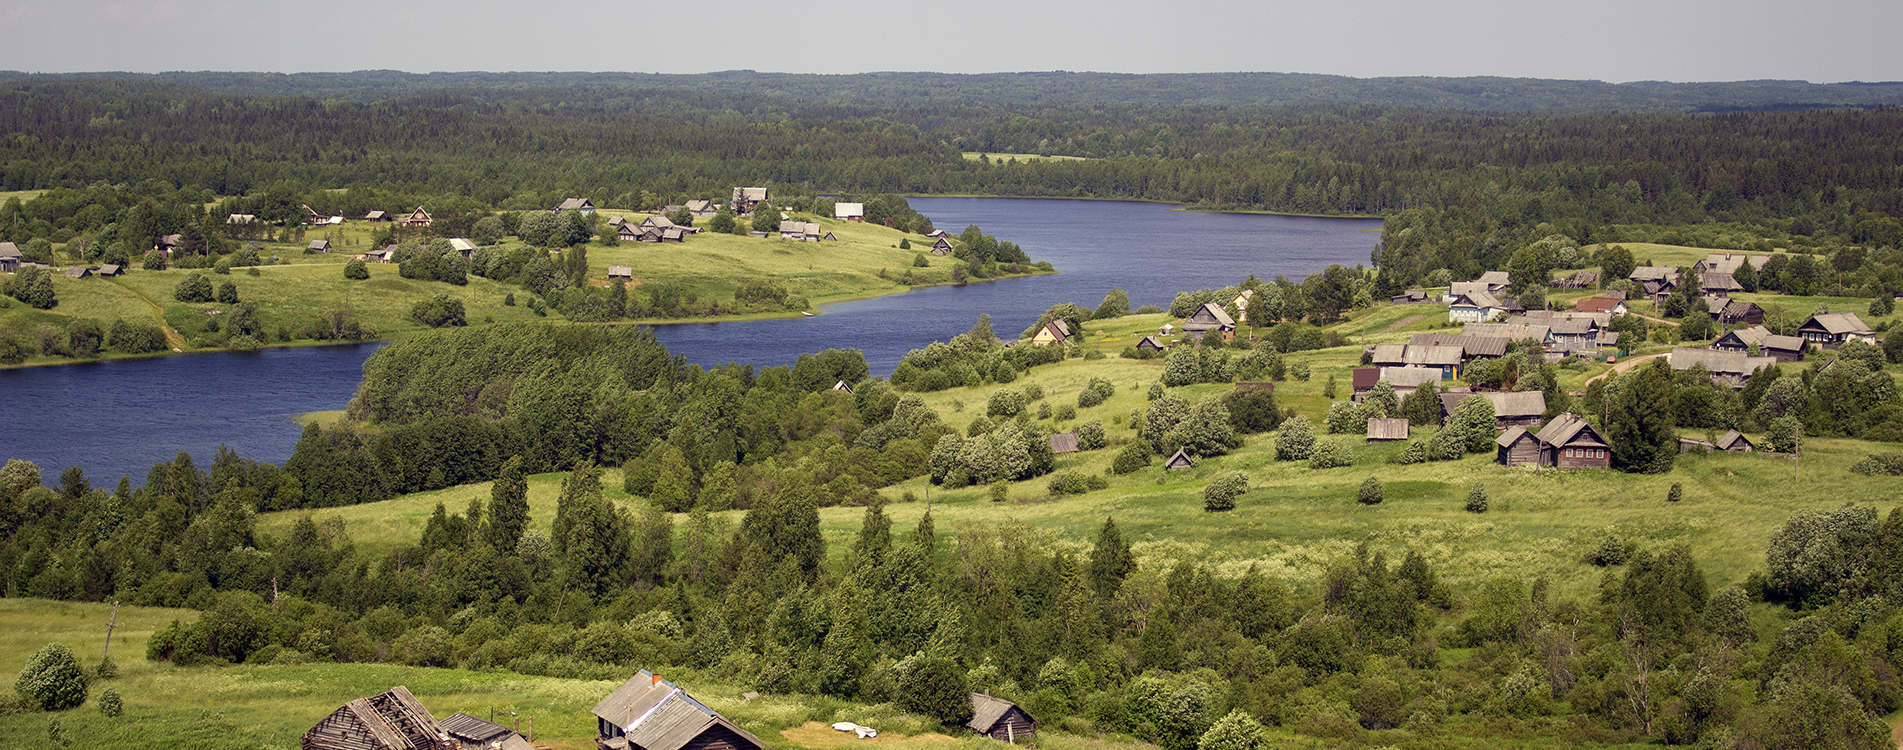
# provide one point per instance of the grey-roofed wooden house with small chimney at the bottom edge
(650, 713)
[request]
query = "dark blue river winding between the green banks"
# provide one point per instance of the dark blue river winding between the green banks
(121, 418)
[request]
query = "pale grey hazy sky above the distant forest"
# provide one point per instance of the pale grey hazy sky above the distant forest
(1617, 41)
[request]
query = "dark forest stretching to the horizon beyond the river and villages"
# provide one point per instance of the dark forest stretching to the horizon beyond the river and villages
(1462, 189)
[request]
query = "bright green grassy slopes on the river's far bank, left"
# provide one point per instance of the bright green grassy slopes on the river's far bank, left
(305, 286)
